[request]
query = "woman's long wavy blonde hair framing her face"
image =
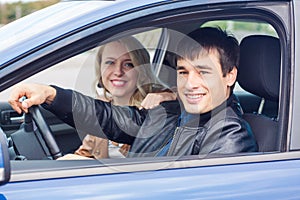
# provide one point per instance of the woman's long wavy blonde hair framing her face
(146, 82)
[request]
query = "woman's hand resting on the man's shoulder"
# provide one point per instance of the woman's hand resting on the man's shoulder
(154, 99)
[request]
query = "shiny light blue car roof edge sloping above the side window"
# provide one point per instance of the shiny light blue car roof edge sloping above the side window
(64, 17)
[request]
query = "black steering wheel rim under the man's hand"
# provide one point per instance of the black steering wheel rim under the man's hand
(45, 131)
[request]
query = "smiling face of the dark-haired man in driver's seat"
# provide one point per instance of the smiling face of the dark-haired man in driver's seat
(200, 82)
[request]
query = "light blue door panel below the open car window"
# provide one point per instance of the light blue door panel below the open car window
(272, 180)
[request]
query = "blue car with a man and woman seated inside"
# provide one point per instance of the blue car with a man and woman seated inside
(57, 45)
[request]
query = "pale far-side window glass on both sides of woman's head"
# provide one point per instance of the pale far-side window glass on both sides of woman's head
(78, 72)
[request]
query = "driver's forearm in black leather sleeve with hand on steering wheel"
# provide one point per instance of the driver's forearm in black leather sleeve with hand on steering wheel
(84, 113)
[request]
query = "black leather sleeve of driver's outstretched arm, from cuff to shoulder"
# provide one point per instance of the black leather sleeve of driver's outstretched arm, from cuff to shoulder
(120, 124)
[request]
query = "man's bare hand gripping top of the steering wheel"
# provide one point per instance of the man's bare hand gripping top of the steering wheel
(35, 94)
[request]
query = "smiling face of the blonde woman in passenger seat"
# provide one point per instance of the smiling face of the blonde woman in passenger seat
(118, 74)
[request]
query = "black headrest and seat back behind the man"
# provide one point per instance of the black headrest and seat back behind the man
(259, 74)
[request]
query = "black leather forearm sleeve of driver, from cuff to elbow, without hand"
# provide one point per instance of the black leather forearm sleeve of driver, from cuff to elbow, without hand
(88, 115)
